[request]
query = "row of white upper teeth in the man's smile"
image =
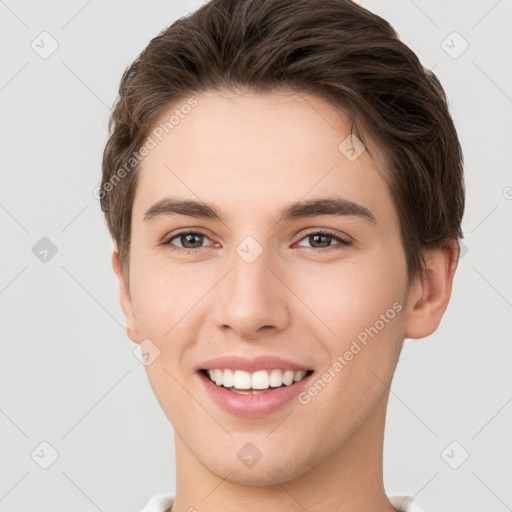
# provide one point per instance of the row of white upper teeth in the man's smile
(261, 379)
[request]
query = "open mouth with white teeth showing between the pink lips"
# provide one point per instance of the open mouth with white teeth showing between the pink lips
(253, 383)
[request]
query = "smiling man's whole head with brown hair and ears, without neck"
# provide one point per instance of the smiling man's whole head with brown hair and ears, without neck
(248, 107)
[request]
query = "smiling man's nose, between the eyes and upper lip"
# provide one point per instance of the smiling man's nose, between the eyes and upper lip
(252, 299)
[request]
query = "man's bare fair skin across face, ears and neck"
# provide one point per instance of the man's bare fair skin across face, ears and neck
(250, 155)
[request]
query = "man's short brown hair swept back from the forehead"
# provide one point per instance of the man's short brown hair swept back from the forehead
(334, 49)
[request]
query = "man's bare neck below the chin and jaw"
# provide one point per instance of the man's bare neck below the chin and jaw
(348, 480)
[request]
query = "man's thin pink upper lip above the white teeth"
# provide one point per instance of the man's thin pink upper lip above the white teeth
(252, 364)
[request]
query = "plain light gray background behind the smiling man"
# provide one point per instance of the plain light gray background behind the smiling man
(68, 373)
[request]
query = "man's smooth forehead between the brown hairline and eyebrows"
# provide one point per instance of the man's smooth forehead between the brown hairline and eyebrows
(257, 151)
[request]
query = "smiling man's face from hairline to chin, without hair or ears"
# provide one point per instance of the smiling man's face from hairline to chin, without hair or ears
(323, 287)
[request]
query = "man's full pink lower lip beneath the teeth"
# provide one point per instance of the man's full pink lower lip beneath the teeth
(253, 406)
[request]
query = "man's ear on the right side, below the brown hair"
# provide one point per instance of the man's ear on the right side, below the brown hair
(431, 293)
